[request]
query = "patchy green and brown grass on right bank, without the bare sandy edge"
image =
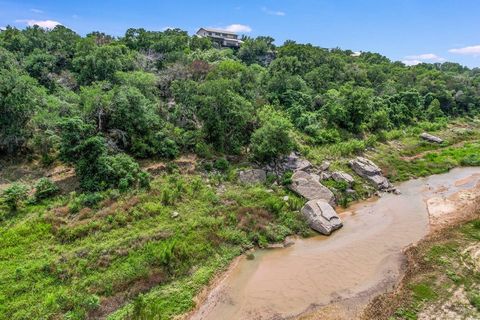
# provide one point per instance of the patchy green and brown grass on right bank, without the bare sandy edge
(442, 278)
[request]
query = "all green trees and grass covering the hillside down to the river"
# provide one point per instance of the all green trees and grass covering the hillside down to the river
(130, 245)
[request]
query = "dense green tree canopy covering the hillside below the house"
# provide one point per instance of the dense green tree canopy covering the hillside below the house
(161, 93)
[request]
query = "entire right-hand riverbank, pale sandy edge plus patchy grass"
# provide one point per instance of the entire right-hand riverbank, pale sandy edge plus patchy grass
(440, 275)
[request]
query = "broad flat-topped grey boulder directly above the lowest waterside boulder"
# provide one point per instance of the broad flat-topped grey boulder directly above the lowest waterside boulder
(308, 187)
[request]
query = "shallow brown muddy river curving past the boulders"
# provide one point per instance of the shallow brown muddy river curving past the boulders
(345, 270)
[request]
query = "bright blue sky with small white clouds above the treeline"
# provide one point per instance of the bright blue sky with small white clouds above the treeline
(407, 30)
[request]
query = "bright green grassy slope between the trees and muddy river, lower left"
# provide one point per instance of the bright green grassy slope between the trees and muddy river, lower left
(107, 247)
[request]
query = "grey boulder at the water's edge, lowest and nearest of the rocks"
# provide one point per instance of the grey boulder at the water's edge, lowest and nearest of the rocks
(321, 216)
